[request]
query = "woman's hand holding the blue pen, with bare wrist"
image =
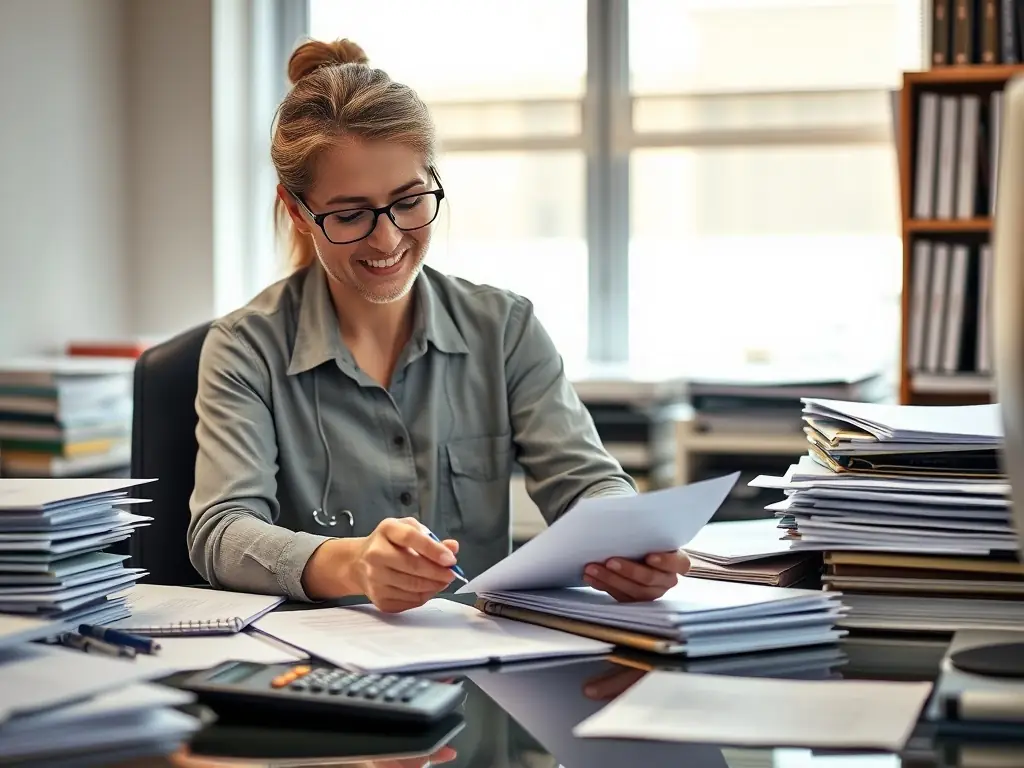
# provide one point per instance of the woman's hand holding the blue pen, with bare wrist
(398, 567)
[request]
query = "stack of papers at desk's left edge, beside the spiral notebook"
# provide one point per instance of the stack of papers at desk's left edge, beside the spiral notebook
(53, 537)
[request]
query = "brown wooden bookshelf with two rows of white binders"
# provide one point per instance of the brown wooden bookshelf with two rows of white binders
(948, 143)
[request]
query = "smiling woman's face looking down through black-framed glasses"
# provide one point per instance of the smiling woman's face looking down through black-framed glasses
(382, 267)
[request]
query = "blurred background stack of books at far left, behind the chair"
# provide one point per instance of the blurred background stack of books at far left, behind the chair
(66, 417)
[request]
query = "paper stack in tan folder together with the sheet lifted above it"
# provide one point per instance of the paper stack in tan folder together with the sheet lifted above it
(541, 583)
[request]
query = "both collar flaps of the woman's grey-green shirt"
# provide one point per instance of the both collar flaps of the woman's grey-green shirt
(318, 338)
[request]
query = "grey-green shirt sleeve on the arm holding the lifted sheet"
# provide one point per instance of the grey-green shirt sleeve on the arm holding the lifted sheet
(558, 445)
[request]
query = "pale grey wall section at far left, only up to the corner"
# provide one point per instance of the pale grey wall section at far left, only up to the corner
(64, 182)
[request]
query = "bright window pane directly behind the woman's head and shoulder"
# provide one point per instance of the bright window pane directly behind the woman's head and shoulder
(506, 95)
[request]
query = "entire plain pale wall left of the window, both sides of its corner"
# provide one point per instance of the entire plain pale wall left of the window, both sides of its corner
(106, 170)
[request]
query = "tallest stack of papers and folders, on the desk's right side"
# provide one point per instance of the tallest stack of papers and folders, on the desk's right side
(912, 510)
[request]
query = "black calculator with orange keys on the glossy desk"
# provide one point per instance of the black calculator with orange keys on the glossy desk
(313, 691)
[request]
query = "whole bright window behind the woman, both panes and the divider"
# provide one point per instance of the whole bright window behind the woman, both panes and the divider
(716, 177)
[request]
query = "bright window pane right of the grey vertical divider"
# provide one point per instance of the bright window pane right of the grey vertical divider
(763, 180)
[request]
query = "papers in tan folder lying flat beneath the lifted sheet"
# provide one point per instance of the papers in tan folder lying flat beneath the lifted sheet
(698, 618)
